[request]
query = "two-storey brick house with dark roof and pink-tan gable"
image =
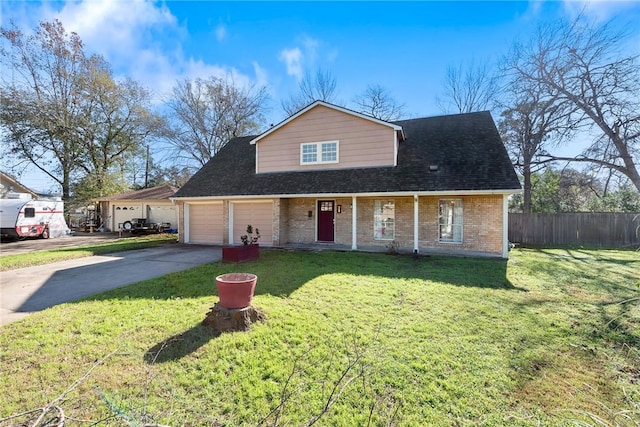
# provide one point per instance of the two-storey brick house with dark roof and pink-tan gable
(333, 176)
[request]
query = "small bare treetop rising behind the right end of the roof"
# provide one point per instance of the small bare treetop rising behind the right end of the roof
(468, 87)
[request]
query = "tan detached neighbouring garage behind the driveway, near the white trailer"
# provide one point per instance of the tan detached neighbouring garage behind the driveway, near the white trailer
(153, 204)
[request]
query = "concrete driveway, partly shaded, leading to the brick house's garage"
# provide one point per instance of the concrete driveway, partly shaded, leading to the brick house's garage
(25, 290)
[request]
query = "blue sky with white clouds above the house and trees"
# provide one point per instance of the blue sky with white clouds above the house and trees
(403, 46)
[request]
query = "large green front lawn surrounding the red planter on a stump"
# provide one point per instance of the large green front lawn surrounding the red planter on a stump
(550, 337)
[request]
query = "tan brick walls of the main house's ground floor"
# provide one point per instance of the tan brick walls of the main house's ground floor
(294, 222)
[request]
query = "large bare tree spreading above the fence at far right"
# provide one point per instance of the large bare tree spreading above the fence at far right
(584, 64)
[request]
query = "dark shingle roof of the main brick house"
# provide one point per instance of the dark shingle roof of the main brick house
(466, 148)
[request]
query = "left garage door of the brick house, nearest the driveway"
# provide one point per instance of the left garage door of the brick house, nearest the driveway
(206, 224)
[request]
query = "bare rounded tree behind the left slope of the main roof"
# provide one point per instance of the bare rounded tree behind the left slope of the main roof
(206, 114)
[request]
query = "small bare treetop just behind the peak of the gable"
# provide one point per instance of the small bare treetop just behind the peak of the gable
(318, 87)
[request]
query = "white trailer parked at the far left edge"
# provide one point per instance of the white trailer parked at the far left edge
(22, 217)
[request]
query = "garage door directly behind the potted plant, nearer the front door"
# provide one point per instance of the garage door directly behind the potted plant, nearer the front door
(258, 215)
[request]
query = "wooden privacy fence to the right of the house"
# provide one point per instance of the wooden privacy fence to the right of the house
(580, 228)
